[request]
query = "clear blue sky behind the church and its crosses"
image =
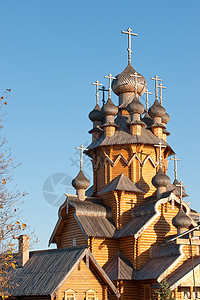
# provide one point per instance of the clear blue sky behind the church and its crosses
(51, 51)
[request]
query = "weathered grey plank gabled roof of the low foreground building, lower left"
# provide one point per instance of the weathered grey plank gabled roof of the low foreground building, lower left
(46, 271)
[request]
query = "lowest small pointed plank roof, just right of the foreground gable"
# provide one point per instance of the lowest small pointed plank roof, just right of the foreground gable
(119, 268)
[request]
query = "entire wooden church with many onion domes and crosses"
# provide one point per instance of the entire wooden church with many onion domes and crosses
(121, 237)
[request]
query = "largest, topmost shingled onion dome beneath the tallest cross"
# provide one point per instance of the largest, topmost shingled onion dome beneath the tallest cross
(125, 83)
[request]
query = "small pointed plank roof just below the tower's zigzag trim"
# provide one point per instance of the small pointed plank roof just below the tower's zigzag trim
(122, 183)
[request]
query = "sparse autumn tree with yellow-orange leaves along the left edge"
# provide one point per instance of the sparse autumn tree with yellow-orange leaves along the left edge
(10, 203)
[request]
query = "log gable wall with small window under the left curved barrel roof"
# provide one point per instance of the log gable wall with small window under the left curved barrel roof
(71, 230)
